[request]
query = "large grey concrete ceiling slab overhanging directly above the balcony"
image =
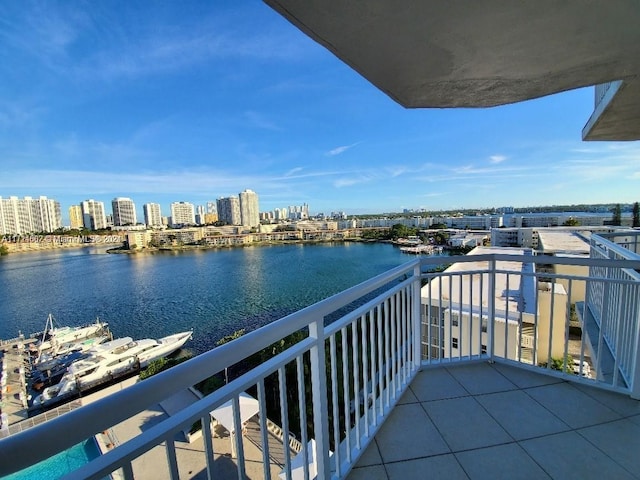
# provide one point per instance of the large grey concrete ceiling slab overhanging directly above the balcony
(475, 53)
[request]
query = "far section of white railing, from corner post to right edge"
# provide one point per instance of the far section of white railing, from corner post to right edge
(532, 311)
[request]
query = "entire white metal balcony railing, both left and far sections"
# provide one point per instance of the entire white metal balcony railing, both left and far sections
(353, 355)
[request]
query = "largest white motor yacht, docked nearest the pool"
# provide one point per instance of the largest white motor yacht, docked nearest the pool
(107, 362)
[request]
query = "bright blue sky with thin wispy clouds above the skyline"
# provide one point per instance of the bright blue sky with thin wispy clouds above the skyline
(191, 101)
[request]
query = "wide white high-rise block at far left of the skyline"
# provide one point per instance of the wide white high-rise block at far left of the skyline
(29, 215)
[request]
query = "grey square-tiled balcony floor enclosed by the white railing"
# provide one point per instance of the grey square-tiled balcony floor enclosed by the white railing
(490, 421)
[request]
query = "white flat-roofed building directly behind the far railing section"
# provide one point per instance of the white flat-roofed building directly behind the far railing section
(523, 305)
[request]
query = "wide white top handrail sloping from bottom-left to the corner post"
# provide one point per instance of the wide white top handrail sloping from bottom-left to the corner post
(100, 415)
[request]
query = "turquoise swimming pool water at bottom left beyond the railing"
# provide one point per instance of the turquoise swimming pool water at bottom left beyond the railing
(59, 465)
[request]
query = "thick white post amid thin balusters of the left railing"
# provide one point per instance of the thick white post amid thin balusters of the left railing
(319, 396)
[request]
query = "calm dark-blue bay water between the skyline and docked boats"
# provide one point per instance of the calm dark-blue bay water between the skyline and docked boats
(213, 292)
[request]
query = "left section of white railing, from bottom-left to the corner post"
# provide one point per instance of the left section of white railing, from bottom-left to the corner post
(333, 382)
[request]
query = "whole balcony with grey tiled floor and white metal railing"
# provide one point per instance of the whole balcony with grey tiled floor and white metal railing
(369, 383)
